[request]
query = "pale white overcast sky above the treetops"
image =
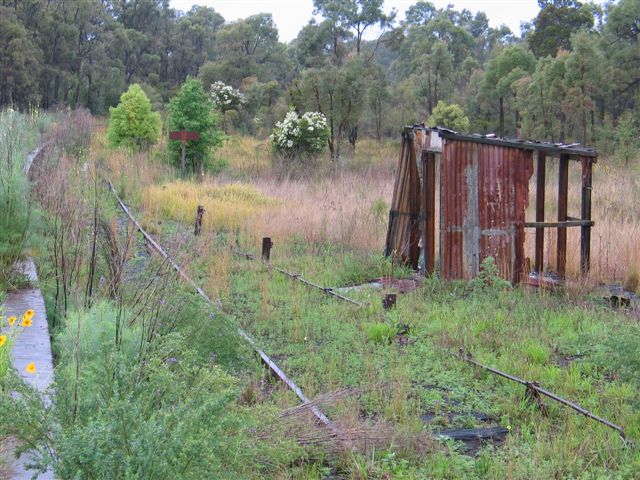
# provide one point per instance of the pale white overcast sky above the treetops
(291, 15)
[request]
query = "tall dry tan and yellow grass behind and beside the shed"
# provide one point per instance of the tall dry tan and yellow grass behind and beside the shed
(346, 203)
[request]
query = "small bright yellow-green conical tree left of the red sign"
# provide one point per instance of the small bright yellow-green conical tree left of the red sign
(133, 123)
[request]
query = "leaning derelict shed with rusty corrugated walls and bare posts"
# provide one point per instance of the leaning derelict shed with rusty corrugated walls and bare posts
(483, 185)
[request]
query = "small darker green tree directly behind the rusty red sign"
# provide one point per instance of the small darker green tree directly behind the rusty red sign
(192, 110)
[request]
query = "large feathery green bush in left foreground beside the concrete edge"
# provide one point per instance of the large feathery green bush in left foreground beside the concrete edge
(139, 410)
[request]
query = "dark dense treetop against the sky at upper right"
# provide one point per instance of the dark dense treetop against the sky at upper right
(555, 23)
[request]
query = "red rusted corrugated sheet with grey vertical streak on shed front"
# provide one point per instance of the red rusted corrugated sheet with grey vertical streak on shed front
(485, 191)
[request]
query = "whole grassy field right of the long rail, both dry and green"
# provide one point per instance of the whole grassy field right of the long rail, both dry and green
(330, 227)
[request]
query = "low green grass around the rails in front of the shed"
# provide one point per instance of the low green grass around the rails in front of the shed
(324, 344)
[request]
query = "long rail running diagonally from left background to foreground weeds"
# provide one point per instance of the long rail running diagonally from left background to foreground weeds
(271, 365)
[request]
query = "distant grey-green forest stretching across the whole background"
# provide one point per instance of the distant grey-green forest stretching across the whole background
(572, 75)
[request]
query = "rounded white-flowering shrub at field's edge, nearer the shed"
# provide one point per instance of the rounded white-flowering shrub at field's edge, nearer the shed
(307, 134)
